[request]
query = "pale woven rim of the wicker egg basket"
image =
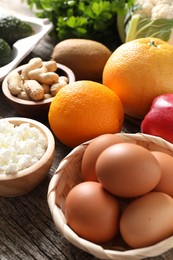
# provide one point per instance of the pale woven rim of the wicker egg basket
(85, 245)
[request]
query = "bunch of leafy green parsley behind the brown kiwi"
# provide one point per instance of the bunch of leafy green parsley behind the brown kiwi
(88, 19)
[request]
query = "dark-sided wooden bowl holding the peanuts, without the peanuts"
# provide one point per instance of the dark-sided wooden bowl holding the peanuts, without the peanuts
(32, 109)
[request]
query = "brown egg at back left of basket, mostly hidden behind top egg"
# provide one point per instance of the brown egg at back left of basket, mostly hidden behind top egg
(92, 152)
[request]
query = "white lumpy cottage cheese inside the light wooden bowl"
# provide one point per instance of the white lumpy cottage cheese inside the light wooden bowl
(20, 146)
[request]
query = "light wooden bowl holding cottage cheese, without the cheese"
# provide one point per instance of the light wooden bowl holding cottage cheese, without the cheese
(24, 181)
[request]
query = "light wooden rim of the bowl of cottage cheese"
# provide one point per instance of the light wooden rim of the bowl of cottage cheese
(48, 153)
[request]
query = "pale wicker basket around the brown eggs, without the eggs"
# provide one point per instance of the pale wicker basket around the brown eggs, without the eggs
(68, 175)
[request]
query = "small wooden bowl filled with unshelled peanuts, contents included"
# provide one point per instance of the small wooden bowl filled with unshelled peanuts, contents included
(30, 88)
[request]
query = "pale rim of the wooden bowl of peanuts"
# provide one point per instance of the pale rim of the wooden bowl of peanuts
(16, 100)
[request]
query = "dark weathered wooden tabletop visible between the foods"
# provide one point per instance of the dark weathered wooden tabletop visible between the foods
(27, 230)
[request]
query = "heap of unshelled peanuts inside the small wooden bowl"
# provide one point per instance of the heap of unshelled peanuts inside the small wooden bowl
(37, 80)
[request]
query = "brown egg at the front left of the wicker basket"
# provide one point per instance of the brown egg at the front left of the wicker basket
(92, 212)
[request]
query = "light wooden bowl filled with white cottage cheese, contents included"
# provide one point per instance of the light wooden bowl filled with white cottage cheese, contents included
(26, 155)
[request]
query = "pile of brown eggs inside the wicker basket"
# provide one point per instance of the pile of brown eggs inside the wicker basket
(115, 171)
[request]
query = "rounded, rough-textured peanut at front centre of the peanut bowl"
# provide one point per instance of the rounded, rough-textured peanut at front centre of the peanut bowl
(34, 90)
